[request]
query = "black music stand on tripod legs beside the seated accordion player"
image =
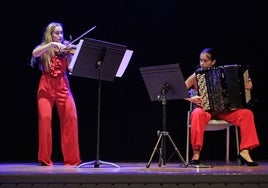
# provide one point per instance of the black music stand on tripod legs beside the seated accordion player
(164, 82)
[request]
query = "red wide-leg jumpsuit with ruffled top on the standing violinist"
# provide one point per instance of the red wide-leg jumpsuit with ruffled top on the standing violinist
(53, 90)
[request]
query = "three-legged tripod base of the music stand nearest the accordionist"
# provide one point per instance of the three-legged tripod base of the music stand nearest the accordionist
(161, 135)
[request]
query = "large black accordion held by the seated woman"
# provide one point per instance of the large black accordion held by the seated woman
(223, 88)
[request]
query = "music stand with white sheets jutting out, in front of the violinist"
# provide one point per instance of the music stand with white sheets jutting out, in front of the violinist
(103, 61)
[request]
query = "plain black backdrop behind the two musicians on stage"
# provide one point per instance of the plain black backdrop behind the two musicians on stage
(159, 32)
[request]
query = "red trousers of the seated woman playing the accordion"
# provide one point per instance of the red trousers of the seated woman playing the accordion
(243, 118)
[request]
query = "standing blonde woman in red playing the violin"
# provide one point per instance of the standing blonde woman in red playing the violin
(54, 90)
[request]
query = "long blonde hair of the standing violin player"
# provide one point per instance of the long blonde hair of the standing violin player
(47, 38)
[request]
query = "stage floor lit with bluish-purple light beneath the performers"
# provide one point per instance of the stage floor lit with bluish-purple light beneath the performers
(134, 174)
